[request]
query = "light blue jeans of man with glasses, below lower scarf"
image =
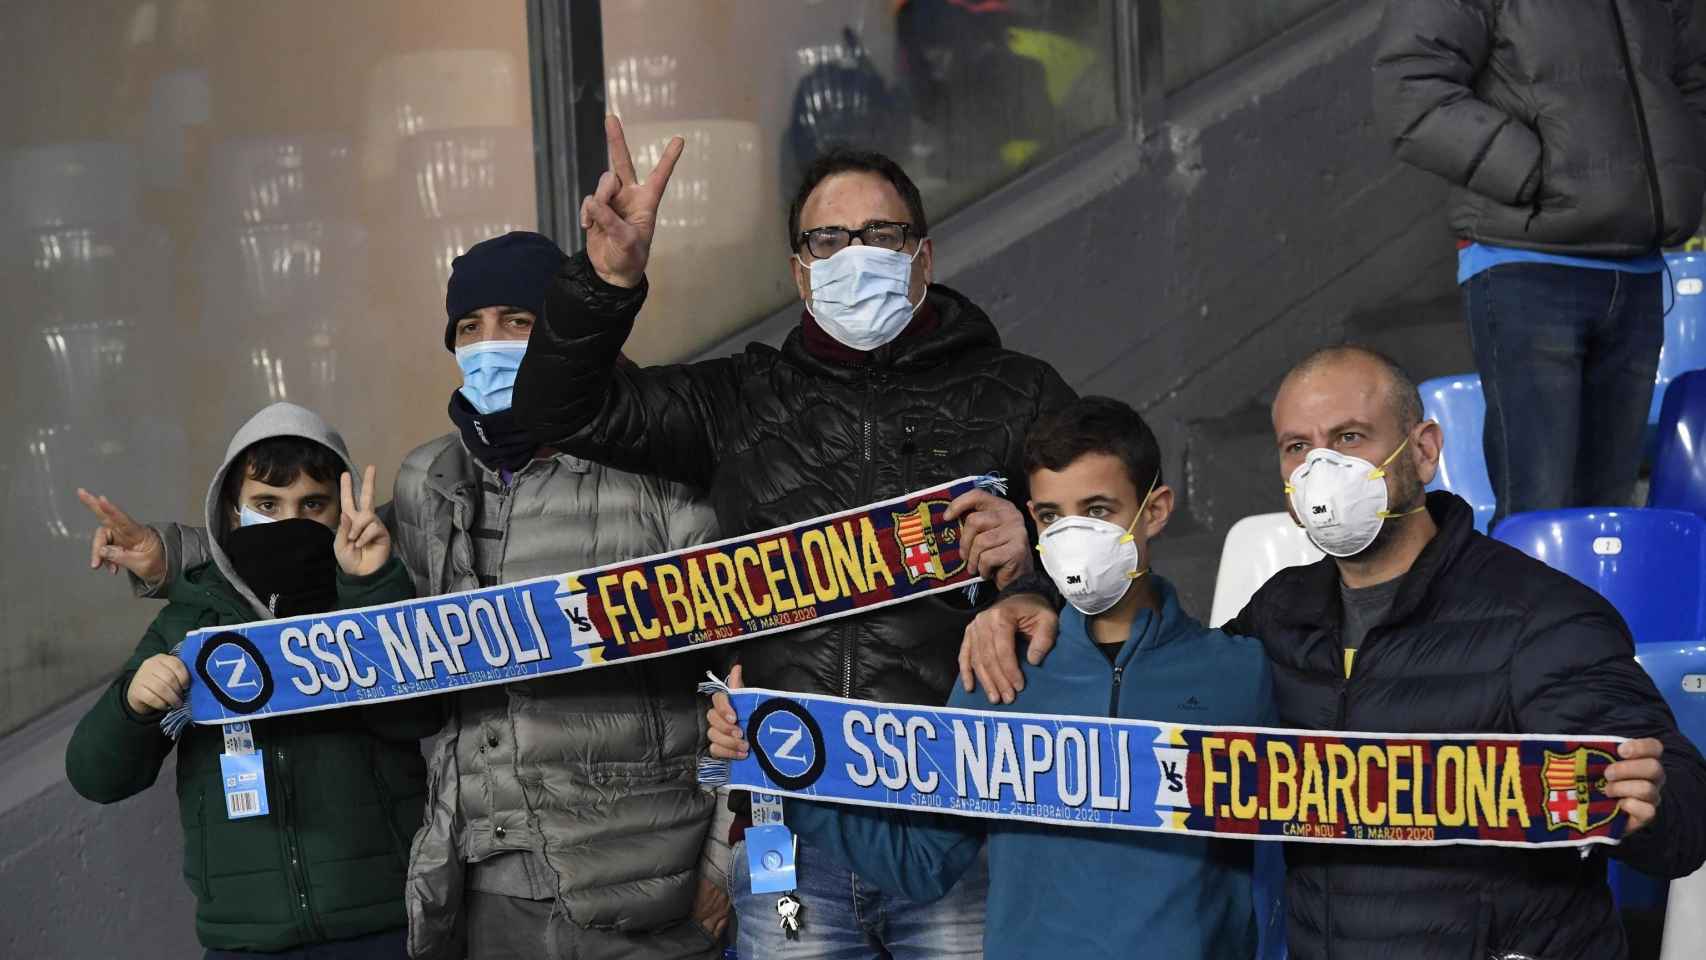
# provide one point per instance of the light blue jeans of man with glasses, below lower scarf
(845, 918)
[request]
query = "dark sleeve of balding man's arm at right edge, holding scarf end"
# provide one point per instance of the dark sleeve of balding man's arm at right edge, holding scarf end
(1579, 676)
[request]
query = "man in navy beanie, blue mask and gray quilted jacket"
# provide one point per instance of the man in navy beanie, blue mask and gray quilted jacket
(566, 818)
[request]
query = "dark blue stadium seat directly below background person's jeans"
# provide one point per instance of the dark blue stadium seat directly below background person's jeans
(1647, 562)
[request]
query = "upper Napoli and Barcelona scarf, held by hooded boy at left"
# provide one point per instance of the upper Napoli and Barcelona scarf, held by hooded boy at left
(707, 596)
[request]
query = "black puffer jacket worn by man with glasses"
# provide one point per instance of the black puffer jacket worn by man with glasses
(779, 437)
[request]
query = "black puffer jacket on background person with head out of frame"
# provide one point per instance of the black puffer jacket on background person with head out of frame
(1572, 127)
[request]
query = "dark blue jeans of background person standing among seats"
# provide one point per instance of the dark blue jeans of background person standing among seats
(1567, 362)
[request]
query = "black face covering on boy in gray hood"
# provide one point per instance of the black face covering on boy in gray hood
(289, 565)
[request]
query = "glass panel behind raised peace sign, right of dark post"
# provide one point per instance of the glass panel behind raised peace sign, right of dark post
(965, 95)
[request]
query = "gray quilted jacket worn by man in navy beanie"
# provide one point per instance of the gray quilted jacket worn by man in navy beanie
(595, 772)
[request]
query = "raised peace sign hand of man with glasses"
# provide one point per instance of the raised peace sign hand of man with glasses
(622, 216)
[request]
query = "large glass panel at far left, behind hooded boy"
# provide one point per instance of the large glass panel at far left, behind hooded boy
(207, 207)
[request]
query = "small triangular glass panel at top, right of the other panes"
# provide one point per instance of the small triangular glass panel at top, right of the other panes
(1204, 35)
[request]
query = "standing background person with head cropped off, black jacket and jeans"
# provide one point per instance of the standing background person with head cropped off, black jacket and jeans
(1575, 137)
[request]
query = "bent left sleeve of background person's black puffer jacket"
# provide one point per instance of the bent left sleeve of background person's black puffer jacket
(1425, 64)
